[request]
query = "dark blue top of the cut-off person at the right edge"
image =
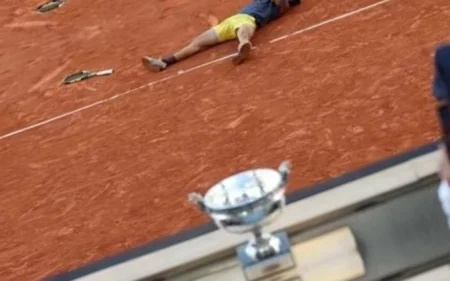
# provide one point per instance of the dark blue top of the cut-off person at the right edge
(441, 83)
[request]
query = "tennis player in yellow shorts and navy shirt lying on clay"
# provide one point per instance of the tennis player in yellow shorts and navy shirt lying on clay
(241, 26)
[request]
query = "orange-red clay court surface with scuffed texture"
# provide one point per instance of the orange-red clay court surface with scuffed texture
(116, 175)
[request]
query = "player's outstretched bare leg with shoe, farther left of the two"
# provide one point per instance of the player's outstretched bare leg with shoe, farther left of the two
(204, 40)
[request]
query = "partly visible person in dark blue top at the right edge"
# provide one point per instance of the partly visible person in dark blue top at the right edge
(441, 91)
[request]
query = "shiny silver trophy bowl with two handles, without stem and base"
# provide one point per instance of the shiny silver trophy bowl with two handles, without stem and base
(246, 201)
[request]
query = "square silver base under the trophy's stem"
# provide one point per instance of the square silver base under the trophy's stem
(279, 266)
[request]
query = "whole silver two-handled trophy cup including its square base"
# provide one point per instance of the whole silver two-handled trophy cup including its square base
(245, 202)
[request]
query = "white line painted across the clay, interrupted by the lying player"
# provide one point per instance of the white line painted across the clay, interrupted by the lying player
(182, 72)
